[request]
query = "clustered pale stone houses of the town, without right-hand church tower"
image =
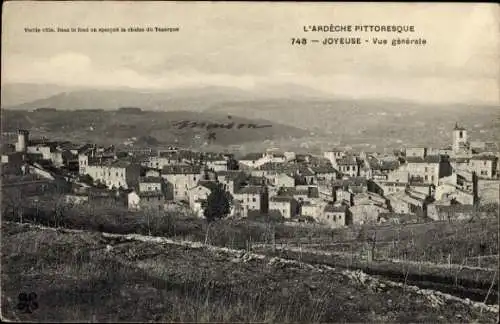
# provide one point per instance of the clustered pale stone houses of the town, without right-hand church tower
(339, 188)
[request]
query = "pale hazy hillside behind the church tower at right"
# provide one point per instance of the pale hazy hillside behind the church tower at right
(383, 123)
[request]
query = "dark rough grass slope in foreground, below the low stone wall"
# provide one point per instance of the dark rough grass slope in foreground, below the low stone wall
(88, 277)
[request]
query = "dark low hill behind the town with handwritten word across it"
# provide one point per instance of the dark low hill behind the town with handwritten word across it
(114, 127)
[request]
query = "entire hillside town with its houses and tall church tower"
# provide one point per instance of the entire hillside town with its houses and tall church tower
(340, 188)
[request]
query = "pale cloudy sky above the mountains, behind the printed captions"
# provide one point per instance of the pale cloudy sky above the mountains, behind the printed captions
(249, 44)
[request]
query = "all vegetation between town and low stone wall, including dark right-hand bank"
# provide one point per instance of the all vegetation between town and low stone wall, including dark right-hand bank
(369, 248)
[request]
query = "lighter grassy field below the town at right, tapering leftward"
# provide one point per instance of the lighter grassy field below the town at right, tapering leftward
(460, 242)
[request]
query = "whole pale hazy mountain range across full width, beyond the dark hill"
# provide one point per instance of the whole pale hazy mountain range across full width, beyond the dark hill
(386, 123)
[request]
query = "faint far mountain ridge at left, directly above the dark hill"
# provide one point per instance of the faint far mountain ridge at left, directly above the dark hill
(30, 96)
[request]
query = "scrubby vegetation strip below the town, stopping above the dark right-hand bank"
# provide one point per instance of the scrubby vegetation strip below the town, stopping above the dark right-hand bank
(462, 242)
